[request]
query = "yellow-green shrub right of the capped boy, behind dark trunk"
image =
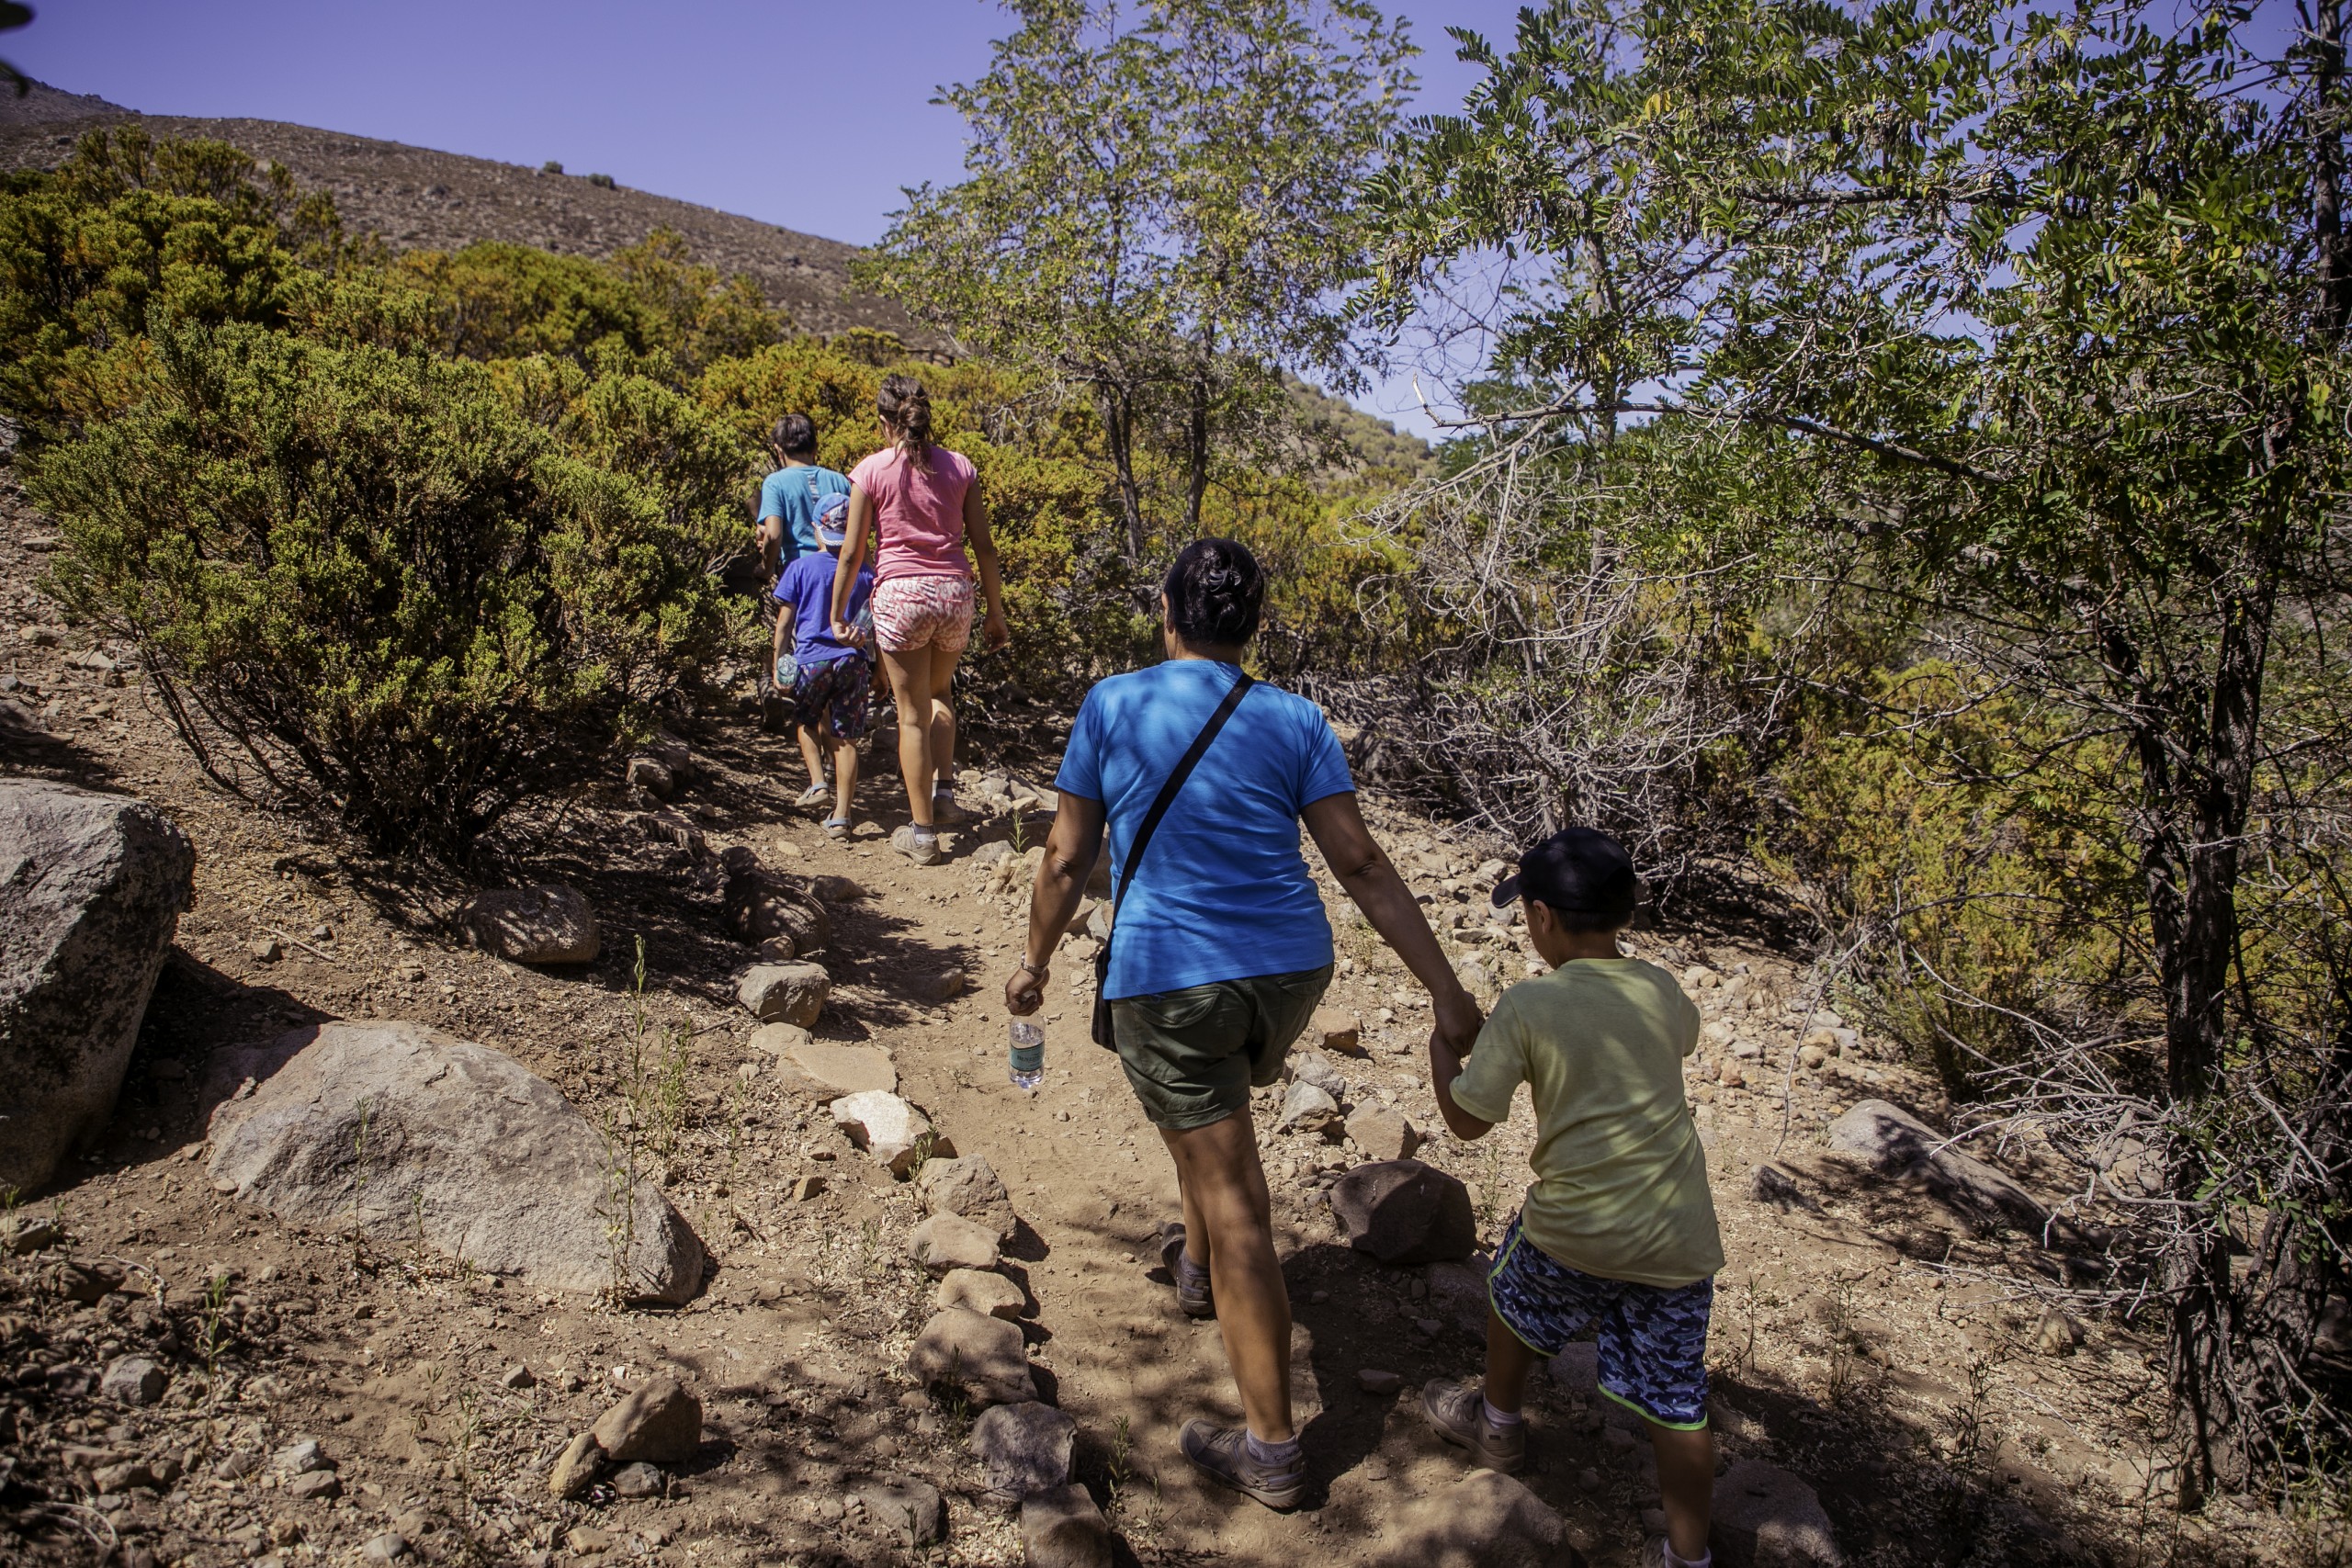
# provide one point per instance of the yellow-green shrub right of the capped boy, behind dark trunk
(1977, 852)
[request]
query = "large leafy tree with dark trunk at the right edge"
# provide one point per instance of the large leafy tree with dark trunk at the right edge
(2050, 311)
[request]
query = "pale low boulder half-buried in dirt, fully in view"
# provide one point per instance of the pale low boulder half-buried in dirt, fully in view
(403, 1132)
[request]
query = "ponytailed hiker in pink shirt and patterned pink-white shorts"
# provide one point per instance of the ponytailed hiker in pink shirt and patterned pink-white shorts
(923, 502)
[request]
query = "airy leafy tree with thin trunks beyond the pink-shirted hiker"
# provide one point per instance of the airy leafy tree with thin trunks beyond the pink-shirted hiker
(1158, 213)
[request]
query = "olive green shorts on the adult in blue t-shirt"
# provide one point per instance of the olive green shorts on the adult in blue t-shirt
(1194, 1054)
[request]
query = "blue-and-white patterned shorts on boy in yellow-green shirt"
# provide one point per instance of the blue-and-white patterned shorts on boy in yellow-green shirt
(1652, 1341)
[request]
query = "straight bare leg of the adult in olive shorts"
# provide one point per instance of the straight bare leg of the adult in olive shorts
(1227, 1205)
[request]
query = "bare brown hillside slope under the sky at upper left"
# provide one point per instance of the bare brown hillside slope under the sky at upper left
(420, 199)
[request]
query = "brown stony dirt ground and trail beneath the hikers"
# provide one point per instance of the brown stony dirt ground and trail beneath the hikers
(1862, 1334)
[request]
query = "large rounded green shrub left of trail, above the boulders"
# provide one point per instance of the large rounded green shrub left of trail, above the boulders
(368, 584)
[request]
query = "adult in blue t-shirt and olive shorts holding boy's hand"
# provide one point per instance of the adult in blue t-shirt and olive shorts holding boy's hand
(1220, 956)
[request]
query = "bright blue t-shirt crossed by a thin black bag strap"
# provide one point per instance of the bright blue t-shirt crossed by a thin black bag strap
(1224, 892)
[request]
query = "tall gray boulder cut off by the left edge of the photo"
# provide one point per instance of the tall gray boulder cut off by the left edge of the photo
(91, 897)
